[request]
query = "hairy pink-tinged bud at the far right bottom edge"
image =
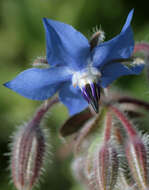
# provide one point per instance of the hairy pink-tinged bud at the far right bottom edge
(137, 160)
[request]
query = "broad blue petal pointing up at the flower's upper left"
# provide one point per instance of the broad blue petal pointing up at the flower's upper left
(65, 45)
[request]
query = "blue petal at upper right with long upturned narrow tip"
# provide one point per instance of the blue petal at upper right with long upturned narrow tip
(119, 47)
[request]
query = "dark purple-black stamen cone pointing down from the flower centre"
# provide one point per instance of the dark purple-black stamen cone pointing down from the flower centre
(92, 93)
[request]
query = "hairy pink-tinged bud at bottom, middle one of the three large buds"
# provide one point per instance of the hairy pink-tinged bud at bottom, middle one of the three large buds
(106, 165)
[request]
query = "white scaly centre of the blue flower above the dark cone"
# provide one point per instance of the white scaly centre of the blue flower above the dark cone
(87, 76)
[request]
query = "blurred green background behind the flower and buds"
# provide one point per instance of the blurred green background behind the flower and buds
(22, 39)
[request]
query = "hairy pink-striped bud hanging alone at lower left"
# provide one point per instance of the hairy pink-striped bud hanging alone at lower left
(28, 153)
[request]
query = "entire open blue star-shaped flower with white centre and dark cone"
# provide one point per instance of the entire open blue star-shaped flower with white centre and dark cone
(75, 68)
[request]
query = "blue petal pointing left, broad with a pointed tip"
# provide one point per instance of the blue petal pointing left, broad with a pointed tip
(39, 84)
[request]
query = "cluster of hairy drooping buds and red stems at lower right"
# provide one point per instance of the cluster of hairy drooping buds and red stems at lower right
(110, 153)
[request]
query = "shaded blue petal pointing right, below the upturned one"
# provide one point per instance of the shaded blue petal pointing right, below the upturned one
(113, 71)
